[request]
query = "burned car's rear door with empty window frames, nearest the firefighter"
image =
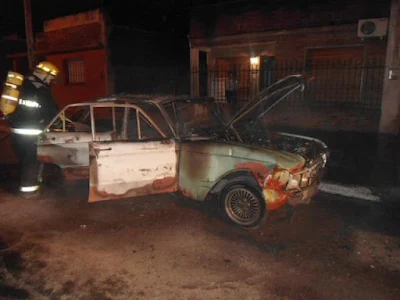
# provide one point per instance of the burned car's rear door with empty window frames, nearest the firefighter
(65, 142)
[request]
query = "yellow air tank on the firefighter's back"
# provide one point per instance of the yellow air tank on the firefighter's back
(10, 95)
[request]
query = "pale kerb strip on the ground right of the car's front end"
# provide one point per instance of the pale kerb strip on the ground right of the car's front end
(358, 192)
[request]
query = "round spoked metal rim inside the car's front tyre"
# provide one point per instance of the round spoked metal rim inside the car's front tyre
(242, 206)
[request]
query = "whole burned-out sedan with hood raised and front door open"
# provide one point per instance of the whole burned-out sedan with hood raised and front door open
(133, 145)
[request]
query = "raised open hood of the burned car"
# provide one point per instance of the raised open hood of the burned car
(265, 100)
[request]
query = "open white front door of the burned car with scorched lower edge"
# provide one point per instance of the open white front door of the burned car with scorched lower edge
(145, 163)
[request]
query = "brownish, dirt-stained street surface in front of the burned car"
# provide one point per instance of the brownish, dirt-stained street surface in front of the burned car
(60, 247)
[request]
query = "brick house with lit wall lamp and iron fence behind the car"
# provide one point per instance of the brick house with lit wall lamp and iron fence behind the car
(262, 42)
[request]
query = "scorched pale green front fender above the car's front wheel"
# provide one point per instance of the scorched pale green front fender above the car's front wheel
(203, 164)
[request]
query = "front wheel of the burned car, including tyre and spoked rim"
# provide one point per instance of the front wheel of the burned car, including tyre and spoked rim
(243, 205)
